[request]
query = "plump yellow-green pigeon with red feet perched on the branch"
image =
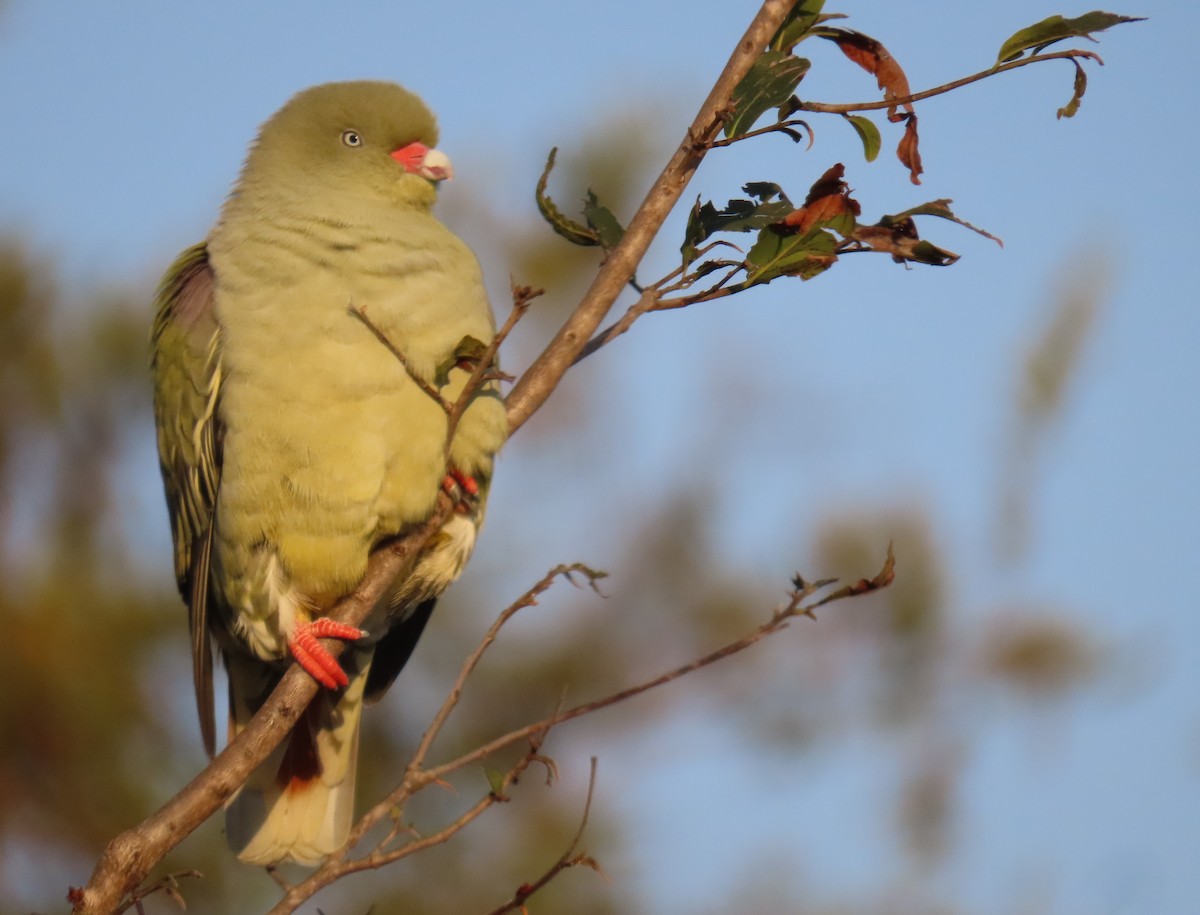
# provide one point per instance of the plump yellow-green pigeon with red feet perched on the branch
(307, 358)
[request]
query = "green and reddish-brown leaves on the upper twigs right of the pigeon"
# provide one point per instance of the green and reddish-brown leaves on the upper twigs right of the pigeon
(806, 241)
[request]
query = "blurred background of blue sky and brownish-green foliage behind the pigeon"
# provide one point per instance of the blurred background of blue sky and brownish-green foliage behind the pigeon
(1013, 728)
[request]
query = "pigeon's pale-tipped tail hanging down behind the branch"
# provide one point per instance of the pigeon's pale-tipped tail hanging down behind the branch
(299, 804)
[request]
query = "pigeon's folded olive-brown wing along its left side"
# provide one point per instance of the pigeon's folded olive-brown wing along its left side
(187, 367)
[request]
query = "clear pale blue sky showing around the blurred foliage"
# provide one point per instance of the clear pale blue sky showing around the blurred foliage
(128, 122)
